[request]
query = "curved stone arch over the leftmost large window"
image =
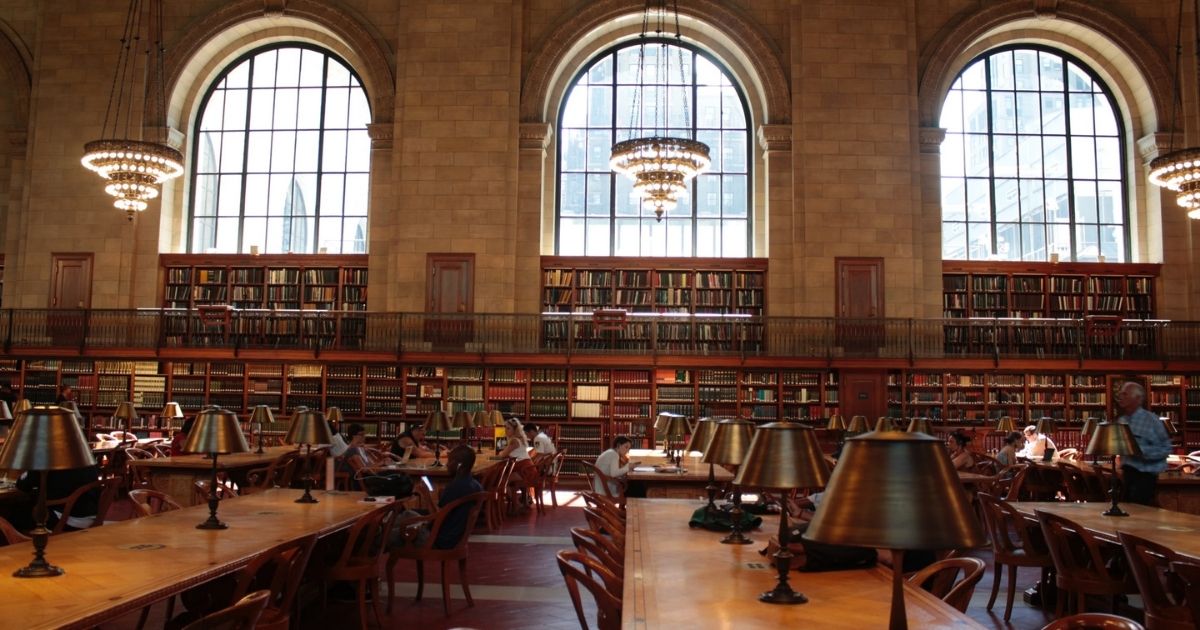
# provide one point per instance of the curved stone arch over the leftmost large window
(237, 27)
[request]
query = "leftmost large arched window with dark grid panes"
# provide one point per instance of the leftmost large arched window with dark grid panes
(281, 157)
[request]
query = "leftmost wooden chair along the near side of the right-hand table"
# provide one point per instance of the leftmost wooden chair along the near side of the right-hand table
(1028, 549)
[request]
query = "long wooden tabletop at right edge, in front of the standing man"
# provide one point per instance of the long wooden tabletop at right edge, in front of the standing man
(1179, 531)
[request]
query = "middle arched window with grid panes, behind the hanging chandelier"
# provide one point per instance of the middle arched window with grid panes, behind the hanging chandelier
(597, 213)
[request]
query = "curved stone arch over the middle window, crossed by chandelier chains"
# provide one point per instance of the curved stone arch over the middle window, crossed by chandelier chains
(728, 33)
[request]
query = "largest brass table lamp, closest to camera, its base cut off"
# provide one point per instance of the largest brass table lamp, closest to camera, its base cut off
(897, 491)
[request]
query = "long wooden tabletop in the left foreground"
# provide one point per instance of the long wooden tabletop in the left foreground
(122, 567)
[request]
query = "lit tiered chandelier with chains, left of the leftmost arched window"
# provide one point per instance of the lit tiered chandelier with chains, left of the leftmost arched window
(134, 167)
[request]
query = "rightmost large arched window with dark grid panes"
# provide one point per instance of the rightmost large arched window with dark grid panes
(1034, 161)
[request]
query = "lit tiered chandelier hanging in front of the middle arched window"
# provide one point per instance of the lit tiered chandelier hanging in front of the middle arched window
(661, 165)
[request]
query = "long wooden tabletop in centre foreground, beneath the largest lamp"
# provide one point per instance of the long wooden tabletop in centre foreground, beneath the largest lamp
(682, 578)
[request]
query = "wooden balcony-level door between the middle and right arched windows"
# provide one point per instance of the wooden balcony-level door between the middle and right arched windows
(860, 287)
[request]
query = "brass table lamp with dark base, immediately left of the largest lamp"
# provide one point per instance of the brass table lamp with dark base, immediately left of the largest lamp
(784, 457)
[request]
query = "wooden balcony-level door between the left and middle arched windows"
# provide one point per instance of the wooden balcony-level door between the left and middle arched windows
(451, 298)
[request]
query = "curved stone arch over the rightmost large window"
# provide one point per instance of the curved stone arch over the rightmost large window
(1106, 40)
